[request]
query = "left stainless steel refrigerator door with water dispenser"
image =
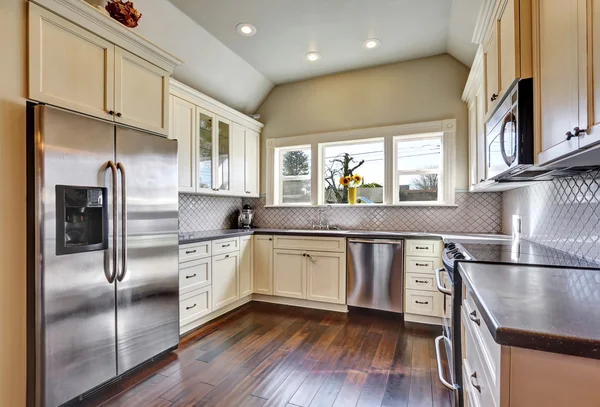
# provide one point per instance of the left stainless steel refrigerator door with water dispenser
(74, 301)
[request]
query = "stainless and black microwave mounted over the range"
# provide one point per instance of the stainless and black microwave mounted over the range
(509, 136)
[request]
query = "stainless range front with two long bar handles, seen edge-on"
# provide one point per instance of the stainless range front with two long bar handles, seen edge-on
(443, 343)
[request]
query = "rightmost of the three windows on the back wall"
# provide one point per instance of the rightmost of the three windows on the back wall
(419, 167)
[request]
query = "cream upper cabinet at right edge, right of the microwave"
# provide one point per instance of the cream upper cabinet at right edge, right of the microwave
(566, 66)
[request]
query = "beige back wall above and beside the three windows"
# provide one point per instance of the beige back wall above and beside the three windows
(408, 92)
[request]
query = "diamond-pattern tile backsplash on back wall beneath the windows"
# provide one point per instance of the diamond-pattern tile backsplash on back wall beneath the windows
(476, 213)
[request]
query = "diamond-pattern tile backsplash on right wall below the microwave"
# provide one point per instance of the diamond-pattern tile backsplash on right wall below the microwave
(563, 214)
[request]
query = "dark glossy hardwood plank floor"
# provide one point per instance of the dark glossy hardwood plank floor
(273, 355)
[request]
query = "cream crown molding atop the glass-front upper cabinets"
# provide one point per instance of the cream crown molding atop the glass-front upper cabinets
(192, 95)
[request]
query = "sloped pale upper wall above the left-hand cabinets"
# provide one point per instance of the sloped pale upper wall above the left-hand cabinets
(209, 66)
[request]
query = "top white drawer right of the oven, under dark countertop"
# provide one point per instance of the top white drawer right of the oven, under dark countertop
(488, 348)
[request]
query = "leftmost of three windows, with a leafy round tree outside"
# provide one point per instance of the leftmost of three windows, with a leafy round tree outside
(294, 175)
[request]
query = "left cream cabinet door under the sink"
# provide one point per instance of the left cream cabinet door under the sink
(289, 273)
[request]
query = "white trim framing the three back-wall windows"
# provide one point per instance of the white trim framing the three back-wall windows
(388, 133)
